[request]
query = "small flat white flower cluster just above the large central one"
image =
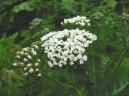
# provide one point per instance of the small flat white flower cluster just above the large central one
(78, 20)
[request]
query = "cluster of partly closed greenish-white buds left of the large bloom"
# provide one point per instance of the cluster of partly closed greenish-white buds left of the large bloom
(27, 62)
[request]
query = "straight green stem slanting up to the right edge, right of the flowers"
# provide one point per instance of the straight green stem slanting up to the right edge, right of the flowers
(115, 69)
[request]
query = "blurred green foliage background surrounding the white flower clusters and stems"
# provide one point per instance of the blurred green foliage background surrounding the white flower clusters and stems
(18, 30)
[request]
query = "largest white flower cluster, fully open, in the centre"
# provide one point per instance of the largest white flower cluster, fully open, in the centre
(67, 46)
